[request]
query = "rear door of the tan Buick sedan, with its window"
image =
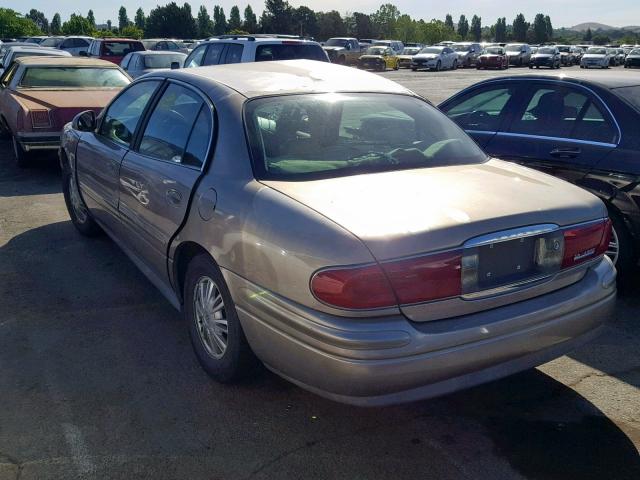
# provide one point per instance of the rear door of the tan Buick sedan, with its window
(159, 174)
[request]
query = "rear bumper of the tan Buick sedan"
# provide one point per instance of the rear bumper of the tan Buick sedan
(372, 362)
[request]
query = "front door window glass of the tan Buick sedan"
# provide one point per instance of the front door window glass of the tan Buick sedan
(123, 115)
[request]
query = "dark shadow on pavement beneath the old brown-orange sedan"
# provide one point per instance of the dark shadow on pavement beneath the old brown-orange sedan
(41, 177)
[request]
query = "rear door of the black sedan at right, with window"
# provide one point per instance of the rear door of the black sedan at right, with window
(559, 128)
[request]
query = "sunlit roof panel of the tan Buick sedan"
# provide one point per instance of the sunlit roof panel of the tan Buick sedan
(254, 79)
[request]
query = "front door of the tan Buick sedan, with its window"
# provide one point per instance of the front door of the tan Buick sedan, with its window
(100, 153)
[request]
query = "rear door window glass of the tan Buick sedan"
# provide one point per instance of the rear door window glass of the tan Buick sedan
(167, 132)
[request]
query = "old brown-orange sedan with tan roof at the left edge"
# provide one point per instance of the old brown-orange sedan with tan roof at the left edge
(39, 95)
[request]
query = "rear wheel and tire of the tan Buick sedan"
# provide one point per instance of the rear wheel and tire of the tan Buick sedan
(225, 355)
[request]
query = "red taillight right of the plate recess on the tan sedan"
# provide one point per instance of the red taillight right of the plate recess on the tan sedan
(584, 243)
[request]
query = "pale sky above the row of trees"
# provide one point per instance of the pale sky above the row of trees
(565, 13)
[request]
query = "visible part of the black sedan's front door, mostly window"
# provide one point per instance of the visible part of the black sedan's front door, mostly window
(483, 110)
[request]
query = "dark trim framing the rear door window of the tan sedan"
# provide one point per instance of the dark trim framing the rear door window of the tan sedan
(206, 102)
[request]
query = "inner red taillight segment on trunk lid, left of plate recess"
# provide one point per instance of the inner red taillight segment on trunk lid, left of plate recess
(425, 278)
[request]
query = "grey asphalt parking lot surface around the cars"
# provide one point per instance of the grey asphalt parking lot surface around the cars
(98, 379)
